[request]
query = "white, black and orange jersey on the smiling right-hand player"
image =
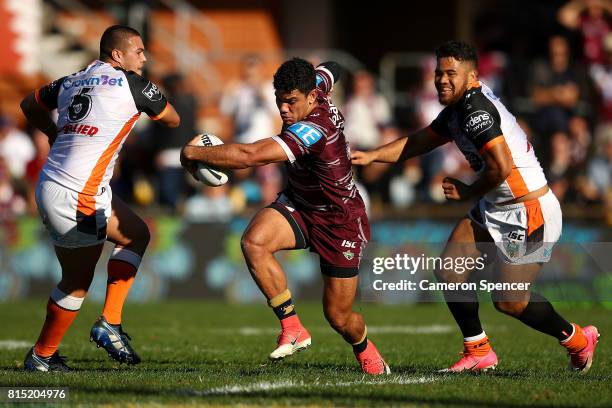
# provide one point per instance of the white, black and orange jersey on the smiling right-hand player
(477, 122)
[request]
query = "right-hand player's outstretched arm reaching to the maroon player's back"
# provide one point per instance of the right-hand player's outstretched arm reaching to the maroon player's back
(421, 142)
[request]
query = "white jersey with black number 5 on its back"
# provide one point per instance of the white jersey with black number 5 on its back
(97, 108)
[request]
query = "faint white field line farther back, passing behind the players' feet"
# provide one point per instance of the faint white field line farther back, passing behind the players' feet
(430, 329)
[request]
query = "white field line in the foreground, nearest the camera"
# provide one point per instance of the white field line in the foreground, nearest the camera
(284, 384)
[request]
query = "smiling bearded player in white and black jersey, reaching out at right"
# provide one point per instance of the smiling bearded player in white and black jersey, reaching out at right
(515, 210)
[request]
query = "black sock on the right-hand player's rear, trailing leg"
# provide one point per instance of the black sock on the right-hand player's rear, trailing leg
(540, 315)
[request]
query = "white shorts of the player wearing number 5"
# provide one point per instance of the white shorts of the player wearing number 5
(66, 215)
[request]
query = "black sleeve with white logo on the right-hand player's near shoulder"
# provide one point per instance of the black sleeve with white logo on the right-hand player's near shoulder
(479, 119)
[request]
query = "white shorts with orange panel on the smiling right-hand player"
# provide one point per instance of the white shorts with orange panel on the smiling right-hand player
(523, 233)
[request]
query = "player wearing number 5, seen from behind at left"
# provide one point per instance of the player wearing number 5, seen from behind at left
(97, 108)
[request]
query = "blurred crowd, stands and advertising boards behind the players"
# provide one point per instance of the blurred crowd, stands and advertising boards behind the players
(550, 61)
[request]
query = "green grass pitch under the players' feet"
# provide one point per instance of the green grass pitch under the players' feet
(215, 354)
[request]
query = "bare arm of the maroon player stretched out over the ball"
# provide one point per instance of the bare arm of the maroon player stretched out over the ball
(233, 155)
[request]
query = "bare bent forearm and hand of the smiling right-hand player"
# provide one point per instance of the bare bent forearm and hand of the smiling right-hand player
(498, 165)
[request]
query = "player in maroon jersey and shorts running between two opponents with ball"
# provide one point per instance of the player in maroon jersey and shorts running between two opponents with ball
(320, 209)
